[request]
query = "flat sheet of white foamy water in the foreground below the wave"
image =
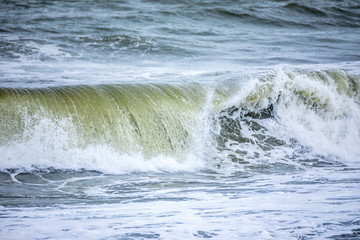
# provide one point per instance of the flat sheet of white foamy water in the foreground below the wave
(263, 208)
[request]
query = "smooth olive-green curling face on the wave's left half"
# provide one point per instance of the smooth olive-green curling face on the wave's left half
(150, 119)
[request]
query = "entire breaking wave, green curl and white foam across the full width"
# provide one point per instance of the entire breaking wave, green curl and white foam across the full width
(285, 115)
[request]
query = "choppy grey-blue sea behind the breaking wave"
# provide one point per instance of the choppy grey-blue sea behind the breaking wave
(90, 41)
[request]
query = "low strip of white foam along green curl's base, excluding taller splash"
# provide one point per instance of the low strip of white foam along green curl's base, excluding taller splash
(30, 155)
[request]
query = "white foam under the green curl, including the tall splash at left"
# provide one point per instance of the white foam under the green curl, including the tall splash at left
(54, 144)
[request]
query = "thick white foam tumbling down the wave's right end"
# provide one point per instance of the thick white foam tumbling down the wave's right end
(336, 131)
